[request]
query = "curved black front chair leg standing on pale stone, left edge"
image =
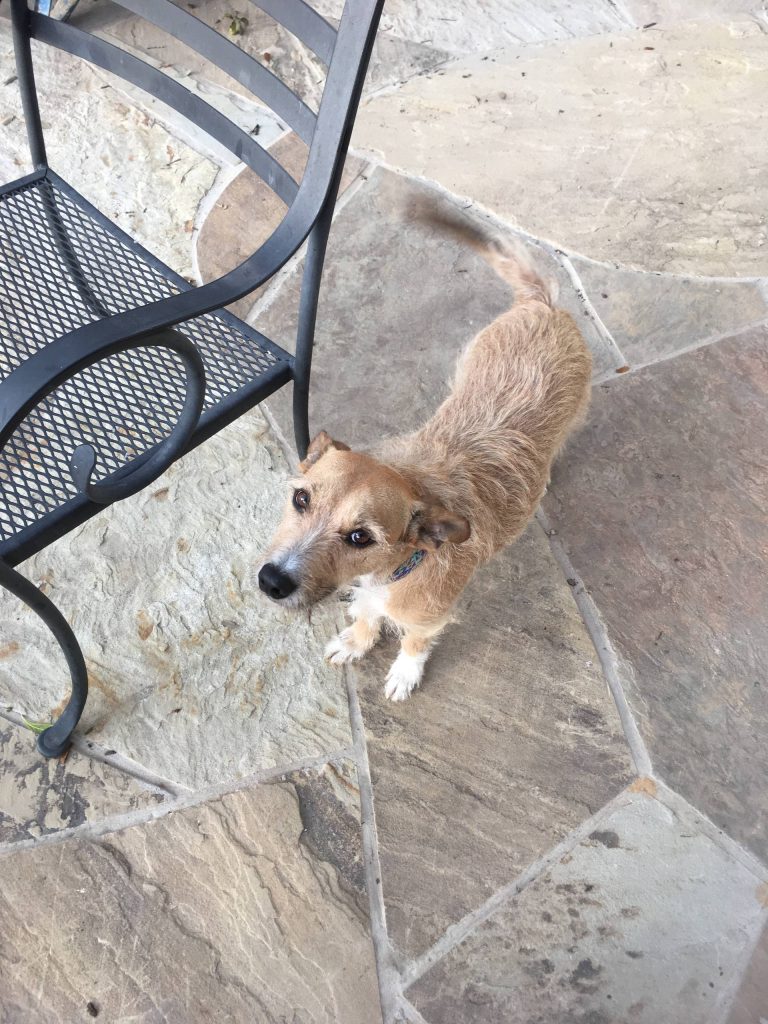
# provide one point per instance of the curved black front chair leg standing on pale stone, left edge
(58, 739)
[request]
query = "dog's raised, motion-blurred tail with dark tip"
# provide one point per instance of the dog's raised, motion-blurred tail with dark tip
(507, 257)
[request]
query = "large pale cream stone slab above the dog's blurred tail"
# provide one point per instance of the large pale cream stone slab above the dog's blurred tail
(643, 151)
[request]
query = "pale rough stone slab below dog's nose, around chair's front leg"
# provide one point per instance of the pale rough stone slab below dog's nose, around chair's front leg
(193, 673)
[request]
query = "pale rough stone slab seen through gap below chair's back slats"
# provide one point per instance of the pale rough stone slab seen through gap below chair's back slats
(127, 164)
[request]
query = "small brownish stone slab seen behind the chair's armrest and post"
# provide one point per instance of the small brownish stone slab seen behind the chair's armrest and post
(246, 215)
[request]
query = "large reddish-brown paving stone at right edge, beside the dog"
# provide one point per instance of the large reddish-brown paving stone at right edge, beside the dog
(661, 503)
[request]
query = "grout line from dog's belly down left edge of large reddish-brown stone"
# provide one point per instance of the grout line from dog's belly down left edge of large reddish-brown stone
(607, 654)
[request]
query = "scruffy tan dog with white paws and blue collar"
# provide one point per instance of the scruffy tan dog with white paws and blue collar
(409, 524)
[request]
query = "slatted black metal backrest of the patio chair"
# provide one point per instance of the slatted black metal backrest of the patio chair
(345, 52)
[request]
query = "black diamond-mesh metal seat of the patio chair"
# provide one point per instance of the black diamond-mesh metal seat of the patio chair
(63, 266)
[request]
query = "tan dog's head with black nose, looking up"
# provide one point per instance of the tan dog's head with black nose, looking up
(349, 516)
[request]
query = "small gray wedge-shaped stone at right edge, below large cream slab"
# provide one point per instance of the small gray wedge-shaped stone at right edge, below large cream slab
(651, 317)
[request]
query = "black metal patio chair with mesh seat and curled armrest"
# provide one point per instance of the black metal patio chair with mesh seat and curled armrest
(113, 365)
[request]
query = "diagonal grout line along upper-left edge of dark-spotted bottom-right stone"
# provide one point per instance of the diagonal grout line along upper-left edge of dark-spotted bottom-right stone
(456, 934)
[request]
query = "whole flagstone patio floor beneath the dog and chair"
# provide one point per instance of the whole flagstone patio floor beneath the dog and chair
(568, 823)
